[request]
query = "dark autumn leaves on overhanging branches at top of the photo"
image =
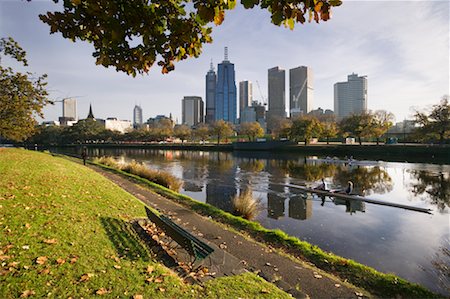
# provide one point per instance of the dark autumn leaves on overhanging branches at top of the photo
(132, 35)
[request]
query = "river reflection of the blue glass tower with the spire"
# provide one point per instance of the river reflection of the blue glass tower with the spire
(220, 187)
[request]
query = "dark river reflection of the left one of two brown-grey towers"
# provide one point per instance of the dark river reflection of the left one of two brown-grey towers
(276, 194)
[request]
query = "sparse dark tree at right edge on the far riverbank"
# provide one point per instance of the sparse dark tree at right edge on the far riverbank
(436, 123)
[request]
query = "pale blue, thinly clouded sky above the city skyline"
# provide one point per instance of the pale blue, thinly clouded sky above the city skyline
(401, 46)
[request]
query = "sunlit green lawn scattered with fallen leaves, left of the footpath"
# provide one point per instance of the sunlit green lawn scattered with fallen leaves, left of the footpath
(75, 223)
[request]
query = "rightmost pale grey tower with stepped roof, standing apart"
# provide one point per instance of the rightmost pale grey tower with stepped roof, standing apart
(350, 97)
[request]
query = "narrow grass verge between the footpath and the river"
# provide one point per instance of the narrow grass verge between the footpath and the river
(377, 283)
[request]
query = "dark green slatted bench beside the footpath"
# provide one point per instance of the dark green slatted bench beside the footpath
(196, 248)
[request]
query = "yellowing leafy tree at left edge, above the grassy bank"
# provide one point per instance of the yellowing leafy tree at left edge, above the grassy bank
(22, 95)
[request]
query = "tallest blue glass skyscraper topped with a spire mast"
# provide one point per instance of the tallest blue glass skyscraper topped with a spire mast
(225, 104)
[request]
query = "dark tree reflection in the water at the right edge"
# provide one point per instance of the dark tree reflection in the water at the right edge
(435, 188)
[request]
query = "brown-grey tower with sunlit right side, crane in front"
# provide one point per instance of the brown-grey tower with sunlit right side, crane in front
(301, 90)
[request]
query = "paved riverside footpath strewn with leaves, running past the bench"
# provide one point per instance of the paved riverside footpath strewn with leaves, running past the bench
(300, 279)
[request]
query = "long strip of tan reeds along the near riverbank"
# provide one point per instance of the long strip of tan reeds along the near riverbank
(159, 177)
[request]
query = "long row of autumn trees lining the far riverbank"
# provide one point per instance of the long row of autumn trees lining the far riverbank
(433, 127)
